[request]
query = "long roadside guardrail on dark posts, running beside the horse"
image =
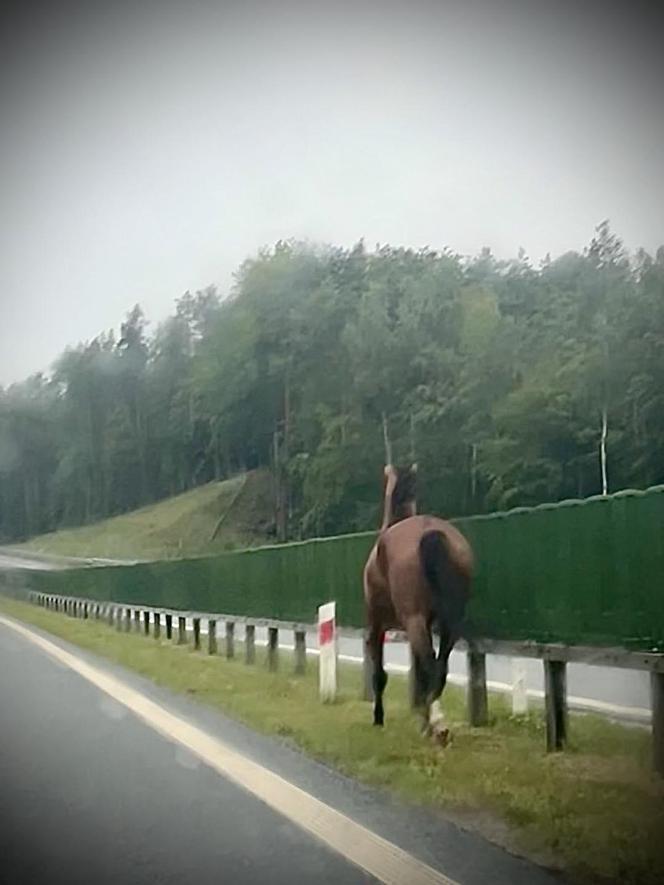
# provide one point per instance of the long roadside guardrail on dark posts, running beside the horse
(128, 616)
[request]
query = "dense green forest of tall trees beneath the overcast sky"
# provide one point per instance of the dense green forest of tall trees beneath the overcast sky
(509, 384)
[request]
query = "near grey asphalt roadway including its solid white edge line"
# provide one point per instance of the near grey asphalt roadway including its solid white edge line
(95, 788)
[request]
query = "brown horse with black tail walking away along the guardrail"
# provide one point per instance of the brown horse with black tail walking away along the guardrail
(417, 577)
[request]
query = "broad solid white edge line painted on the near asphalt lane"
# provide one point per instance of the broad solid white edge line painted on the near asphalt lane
(381, 859)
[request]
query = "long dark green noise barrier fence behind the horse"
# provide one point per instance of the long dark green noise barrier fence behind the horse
(579, 572)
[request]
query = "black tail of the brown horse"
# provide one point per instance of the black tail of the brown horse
(449, 586)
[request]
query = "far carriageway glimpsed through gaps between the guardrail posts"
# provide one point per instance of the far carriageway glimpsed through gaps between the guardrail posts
(621, 694)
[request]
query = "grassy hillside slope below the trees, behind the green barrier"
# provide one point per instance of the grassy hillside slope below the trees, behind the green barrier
(179, 526)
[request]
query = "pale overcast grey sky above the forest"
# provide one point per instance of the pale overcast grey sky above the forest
(148, 148)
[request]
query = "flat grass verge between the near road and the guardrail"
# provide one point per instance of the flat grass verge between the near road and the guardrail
(595, 811)
